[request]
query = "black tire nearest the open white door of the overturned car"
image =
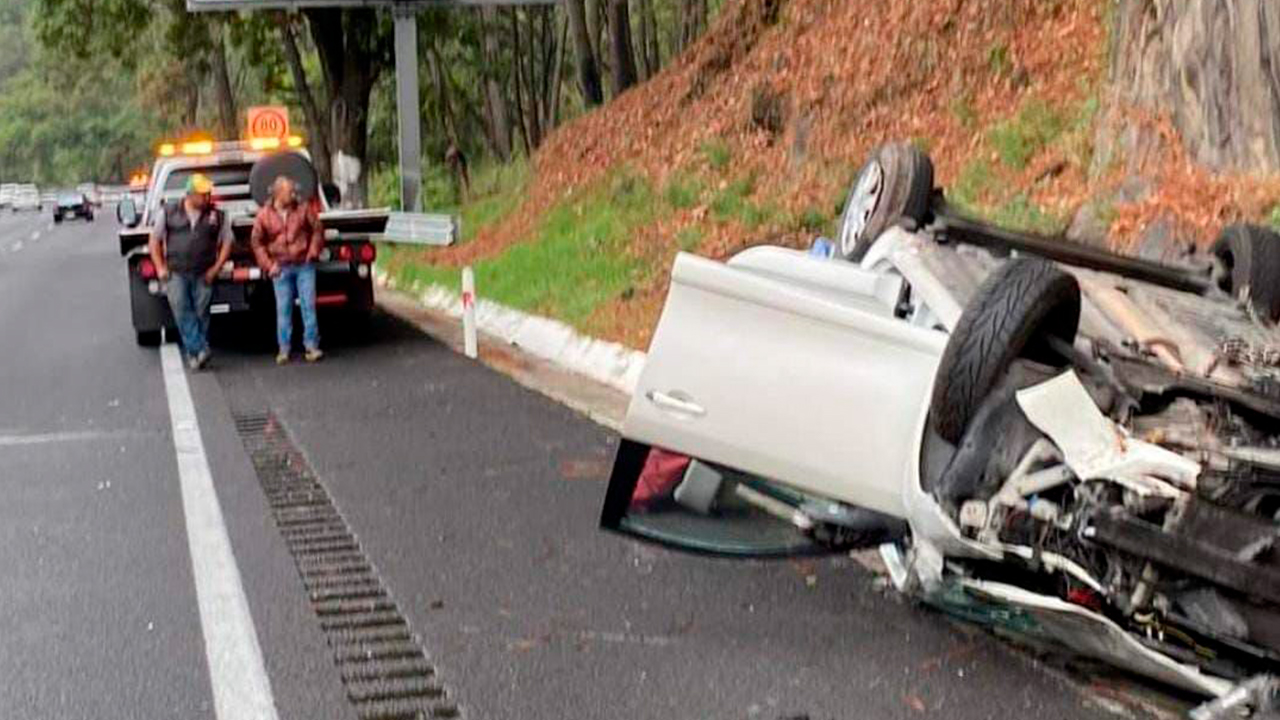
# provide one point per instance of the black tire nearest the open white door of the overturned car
(1014, 311)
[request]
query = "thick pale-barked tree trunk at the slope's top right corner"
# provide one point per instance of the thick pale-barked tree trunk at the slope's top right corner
(1214, 67)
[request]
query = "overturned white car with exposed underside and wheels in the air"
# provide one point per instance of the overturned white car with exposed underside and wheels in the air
(1087, 443)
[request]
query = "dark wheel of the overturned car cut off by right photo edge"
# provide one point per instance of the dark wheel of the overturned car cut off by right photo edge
(1251, 257)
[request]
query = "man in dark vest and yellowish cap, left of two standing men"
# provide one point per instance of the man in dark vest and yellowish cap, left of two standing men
(190, 245)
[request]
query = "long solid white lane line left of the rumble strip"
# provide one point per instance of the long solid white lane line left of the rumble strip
(236, 669)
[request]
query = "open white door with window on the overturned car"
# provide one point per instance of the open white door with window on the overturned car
(787, 373)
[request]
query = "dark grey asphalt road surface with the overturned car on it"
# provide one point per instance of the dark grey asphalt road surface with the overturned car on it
(477, 503)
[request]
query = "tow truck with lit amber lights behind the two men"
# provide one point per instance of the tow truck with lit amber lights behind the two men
(243, 172)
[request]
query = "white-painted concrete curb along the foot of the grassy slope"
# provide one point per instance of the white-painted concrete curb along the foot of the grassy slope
(605, 362)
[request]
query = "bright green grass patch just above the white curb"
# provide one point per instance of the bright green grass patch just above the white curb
(575, 262)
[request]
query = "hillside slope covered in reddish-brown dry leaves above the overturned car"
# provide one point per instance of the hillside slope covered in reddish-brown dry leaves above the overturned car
(1003, 94)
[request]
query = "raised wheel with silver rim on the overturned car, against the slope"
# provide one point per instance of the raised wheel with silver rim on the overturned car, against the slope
(897, 183)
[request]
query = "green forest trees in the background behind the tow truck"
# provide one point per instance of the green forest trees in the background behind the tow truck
(88, 88)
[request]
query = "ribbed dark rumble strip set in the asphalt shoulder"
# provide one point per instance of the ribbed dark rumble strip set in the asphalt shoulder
(383, 668)
